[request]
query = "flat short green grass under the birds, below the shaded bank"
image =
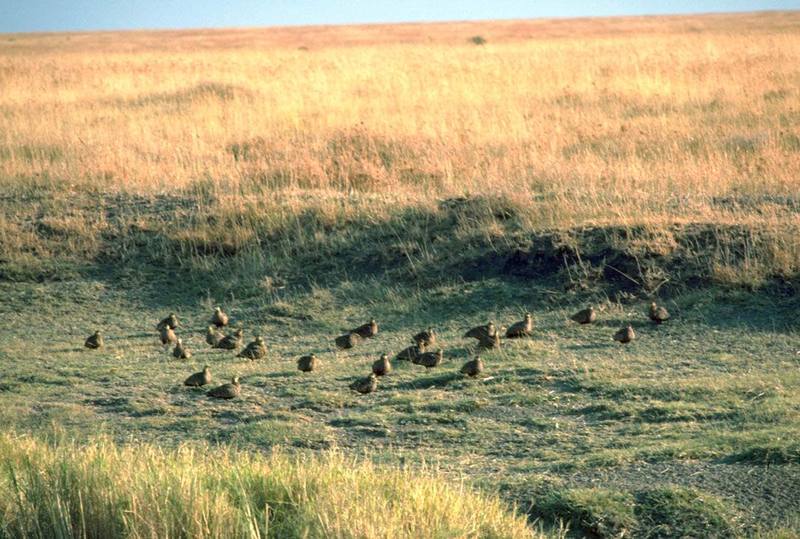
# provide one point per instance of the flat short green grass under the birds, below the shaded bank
(717, 384)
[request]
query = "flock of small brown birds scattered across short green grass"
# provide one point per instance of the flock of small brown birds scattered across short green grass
(419, 353)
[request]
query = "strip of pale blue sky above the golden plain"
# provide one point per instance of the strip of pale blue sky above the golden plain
(46, 15)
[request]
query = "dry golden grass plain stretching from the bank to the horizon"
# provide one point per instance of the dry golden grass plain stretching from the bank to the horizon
(609, 119)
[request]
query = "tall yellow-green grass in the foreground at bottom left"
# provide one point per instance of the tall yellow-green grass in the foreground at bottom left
(104, 490)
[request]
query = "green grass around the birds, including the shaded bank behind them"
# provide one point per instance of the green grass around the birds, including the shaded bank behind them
(580, 432)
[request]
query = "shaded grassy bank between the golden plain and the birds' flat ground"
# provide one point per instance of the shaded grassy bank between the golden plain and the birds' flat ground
(252, 245)
